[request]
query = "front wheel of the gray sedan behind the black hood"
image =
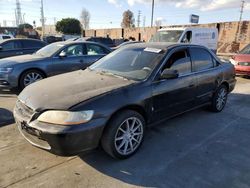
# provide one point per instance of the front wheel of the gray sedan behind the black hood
(29, 77)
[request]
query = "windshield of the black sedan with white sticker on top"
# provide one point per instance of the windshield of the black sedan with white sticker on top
(134, 64)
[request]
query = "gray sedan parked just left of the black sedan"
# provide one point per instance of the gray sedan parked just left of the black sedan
(56, 58)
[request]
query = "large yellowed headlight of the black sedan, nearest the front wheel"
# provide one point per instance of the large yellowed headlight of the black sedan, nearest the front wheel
(66, 117)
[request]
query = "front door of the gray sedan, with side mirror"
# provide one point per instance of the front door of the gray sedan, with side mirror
(74, 59)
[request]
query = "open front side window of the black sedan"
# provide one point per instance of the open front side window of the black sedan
(180, 61)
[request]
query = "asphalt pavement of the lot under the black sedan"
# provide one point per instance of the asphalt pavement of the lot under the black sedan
(196, 149)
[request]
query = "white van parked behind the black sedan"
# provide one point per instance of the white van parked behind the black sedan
(202, 36)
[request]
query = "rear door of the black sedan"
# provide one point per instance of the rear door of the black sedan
(207, 73)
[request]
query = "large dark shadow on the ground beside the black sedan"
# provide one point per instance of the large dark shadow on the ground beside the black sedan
(195, 149)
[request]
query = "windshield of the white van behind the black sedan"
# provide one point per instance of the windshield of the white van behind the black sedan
(167, 36)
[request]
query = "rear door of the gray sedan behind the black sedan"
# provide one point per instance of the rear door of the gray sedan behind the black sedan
(94, 52)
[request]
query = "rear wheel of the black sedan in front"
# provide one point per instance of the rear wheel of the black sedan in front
(219, 99)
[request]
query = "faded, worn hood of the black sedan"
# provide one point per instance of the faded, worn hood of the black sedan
(66, 90)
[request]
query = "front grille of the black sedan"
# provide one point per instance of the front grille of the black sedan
(23, 110)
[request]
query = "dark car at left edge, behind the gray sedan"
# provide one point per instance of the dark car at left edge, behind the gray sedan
(15, 47)
